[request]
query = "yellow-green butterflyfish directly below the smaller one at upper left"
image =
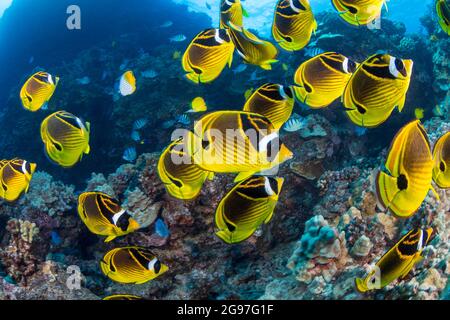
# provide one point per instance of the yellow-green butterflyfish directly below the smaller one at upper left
(66, 138)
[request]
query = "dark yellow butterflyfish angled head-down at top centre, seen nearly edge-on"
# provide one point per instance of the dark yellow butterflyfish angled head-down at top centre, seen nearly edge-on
(252, 49)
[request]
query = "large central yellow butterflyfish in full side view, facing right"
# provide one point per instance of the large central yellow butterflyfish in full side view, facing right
(237, 142)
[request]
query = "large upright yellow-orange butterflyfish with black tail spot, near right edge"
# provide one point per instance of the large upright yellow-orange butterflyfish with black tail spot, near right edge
(405, 180)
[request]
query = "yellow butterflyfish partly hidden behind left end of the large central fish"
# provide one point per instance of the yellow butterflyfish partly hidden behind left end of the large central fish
(181, 177)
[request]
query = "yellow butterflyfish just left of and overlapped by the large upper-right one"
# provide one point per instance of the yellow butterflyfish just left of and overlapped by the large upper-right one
(322, 79)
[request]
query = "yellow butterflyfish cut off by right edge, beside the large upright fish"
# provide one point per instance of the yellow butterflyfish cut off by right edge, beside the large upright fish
(441, 156)
